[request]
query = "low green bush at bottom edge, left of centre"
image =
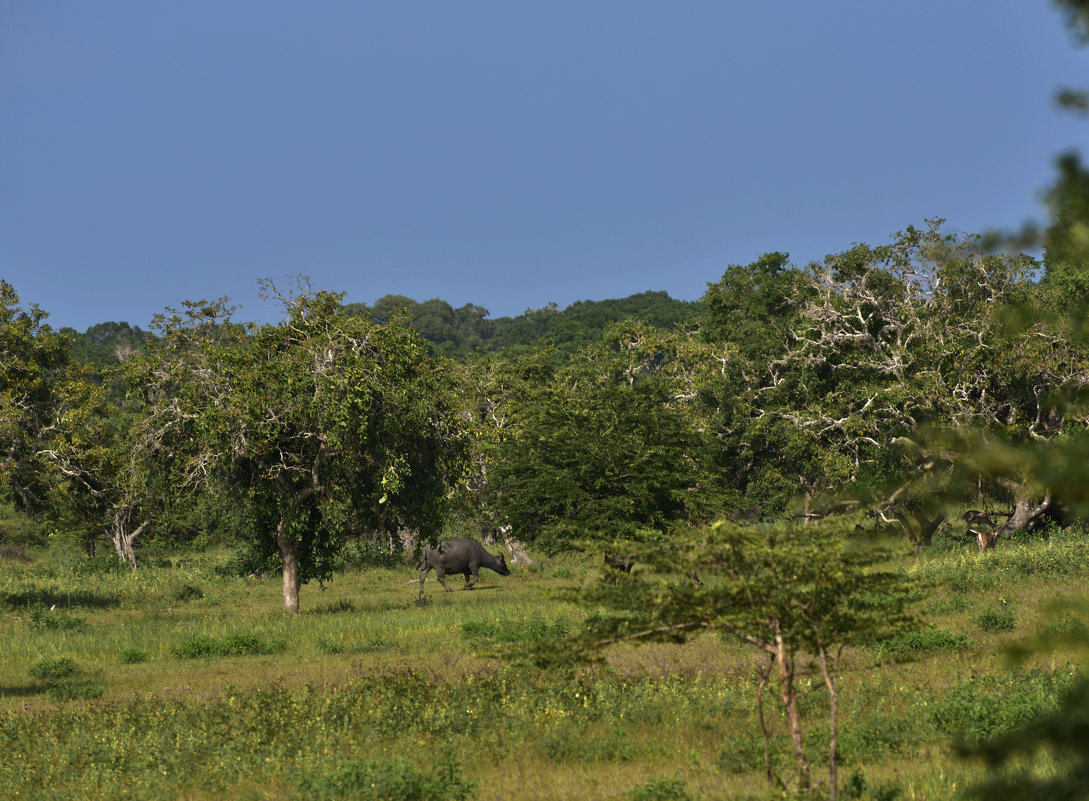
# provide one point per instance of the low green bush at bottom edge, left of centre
(389, 779)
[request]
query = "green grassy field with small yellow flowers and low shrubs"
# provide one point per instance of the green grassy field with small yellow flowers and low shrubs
(183, 681)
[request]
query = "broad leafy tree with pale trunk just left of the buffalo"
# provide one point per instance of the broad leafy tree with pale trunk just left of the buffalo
(321, 425)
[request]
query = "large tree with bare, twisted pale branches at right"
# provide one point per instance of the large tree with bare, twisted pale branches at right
(924, 334)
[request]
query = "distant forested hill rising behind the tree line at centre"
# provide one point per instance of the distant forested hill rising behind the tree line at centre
(463, 331)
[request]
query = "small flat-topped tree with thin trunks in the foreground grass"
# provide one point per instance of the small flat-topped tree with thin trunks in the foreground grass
(788, 593)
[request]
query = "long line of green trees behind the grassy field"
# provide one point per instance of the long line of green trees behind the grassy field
(787, 393)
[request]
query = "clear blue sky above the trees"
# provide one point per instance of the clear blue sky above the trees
(507, 154)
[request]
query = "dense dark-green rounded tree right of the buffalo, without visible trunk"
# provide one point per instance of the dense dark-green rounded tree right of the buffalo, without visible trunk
(603, 449)
